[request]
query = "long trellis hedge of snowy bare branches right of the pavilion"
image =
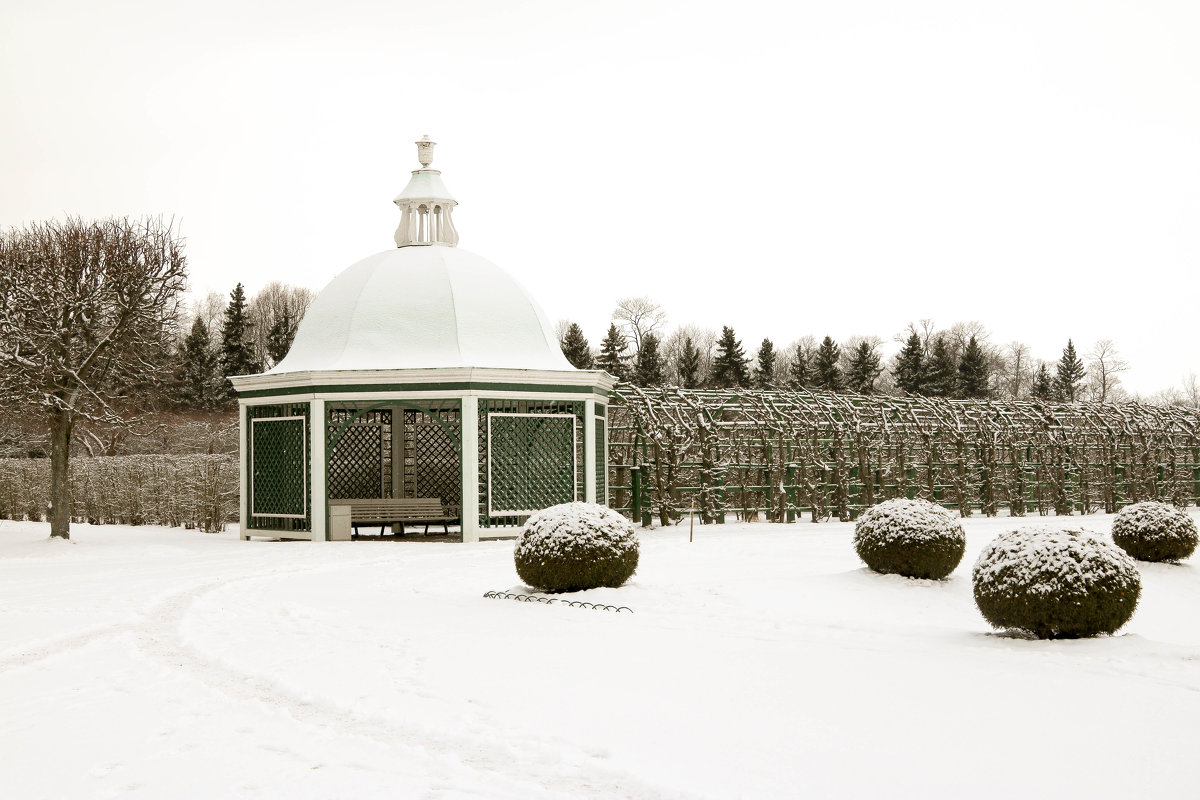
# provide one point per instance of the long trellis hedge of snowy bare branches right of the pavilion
(782, 454)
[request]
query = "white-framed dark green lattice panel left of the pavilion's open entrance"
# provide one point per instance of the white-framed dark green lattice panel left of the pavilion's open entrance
(279, 462)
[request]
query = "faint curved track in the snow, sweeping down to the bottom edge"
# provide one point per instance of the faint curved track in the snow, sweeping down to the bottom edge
(530, 768)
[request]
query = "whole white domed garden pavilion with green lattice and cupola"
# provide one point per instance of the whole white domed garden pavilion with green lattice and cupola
(441, 392)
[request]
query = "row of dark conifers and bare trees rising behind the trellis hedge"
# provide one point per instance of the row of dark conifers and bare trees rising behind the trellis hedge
(956, 363)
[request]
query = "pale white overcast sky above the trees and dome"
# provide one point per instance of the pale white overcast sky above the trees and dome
(787, 169)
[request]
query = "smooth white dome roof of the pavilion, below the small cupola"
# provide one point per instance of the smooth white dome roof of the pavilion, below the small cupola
(422, 308)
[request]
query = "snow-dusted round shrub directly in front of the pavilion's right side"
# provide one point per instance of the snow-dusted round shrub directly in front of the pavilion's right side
(577, 546)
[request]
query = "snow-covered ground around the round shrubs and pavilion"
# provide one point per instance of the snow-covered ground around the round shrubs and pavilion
(760, 661)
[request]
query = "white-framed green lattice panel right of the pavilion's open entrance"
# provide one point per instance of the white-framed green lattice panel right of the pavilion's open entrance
(532, 462)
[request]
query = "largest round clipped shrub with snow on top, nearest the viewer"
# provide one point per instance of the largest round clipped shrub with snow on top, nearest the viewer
(1057, 585)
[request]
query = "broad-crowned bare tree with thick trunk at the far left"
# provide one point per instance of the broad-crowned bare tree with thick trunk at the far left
(87, 315)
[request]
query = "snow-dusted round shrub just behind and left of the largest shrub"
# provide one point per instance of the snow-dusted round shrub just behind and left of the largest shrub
(911, 538)
